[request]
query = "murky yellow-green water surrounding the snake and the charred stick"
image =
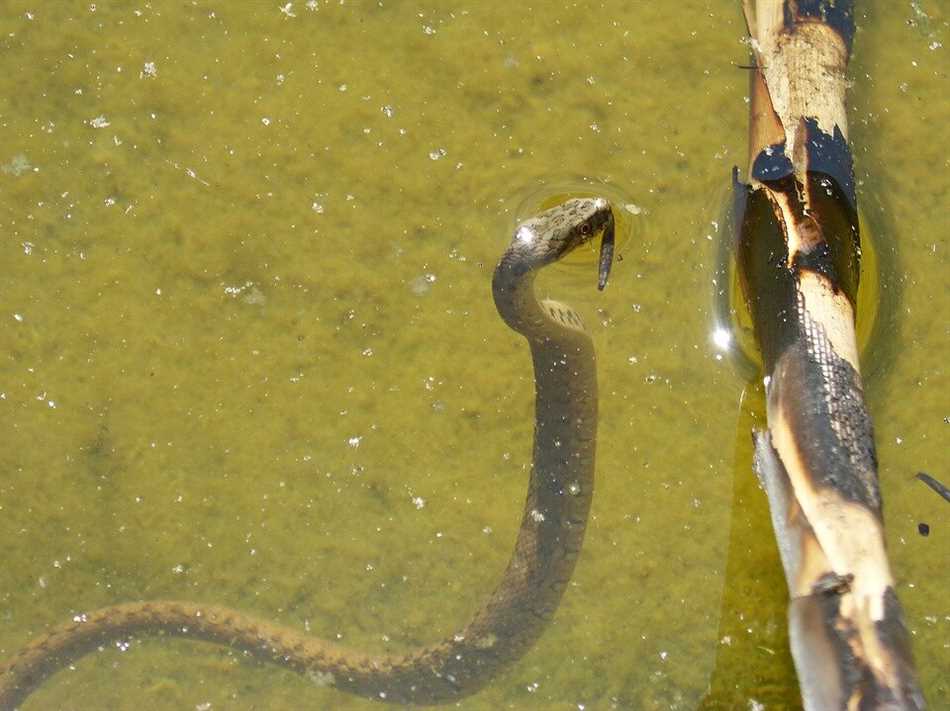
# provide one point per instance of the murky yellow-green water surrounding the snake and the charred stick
(248, 353)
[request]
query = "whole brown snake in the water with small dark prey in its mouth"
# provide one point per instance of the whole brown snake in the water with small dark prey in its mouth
(513, 616)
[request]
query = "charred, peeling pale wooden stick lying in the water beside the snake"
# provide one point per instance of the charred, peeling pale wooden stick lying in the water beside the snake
(798, 259)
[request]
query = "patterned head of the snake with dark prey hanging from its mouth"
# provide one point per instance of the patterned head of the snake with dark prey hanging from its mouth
(556, 232)
